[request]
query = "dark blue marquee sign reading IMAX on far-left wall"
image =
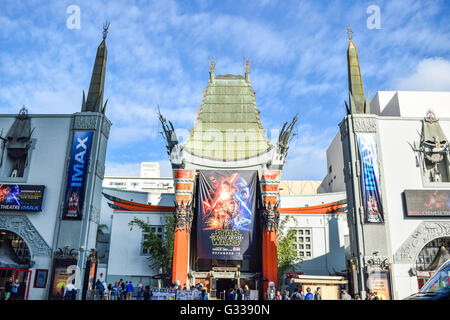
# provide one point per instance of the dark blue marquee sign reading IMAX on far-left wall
(19, 197)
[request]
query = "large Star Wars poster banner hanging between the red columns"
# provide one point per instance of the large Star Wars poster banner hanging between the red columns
(226, 216)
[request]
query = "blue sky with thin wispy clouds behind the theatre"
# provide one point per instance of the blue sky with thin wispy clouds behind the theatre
(158, 54)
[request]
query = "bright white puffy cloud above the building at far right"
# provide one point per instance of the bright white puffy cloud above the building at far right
(430, 75)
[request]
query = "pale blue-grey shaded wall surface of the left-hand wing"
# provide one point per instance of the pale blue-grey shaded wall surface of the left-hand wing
(45, 167)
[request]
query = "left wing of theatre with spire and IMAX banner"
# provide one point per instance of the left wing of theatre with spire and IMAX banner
(51, 172)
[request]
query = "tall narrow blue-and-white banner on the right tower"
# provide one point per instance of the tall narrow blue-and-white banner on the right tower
(370, 178)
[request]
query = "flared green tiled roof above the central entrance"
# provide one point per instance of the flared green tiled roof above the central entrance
(228, 125)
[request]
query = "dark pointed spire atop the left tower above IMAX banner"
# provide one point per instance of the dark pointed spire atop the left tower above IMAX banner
(94, 101)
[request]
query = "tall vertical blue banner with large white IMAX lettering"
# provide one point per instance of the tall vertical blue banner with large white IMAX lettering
(77, 175)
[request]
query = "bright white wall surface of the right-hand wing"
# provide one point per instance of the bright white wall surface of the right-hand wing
(400, 173)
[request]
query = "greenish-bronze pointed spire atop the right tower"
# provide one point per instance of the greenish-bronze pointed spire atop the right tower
(355, 87)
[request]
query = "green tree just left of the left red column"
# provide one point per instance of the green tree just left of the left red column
(160, 248)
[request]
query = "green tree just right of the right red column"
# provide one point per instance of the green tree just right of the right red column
(287, 254)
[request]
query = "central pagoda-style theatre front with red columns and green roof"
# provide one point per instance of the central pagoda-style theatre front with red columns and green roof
(226, 199)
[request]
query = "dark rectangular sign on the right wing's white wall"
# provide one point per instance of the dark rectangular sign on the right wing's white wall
(427, 203)
